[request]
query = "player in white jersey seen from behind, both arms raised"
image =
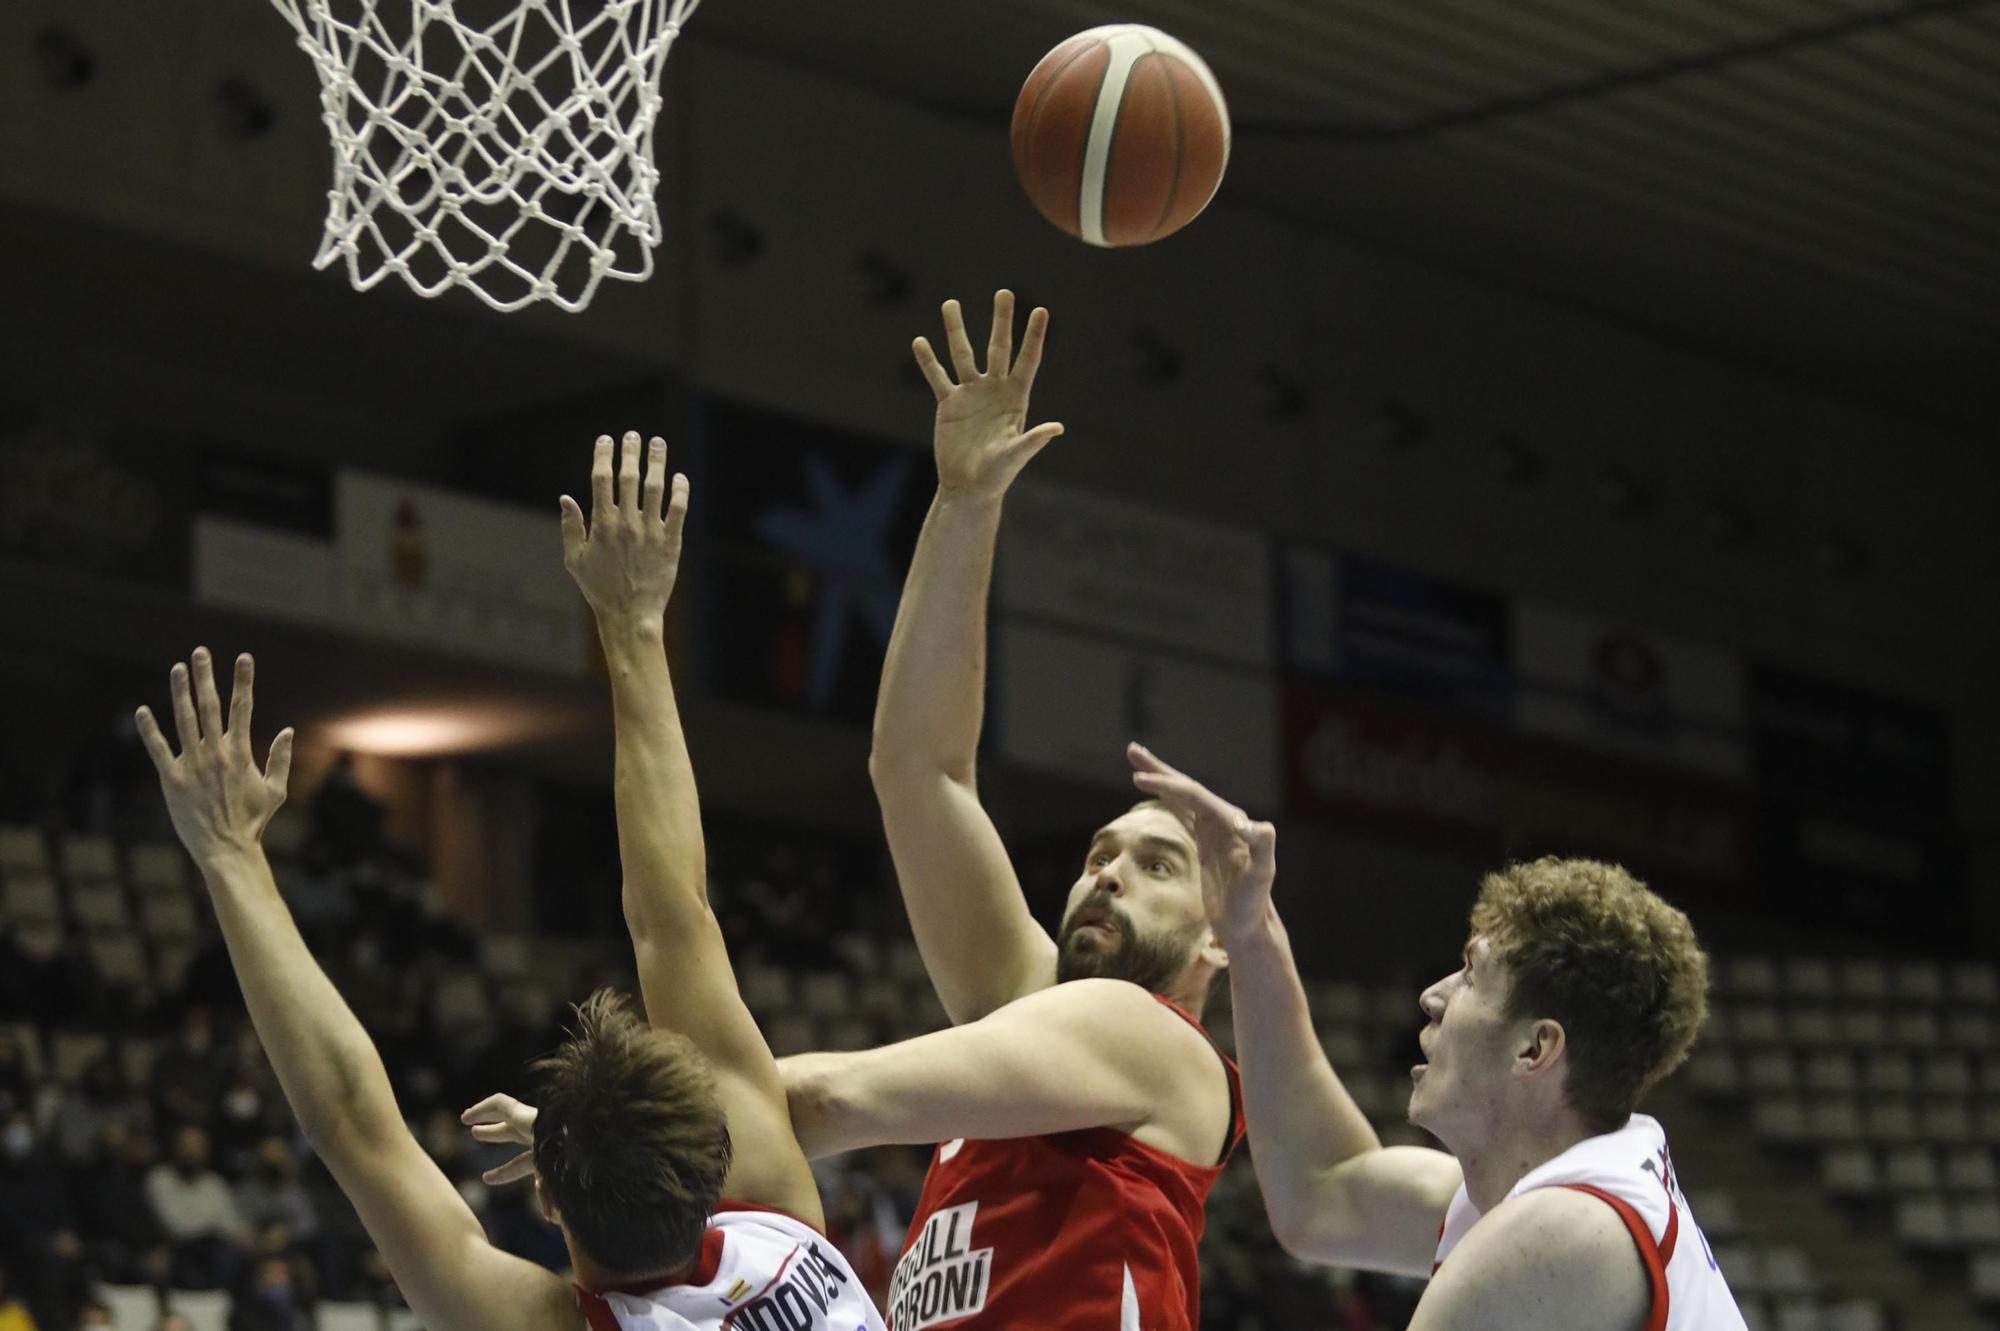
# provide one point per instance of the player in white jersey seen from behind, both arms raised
(663, 1152)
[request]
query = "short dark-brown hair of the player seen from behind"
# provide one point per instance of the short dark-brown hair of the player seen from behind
(631, 1140)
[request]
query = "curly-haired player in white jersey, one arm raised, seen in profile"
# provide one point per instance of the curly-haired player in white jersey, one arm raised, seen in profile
(1557, 1206)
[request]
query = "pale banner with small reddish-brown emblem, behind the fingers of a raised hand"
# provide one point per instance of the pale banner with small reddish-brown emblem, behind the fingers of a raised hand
(443, 571)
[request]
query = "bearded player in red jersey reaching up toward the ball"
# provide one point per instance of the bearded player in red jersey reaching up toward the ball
(1083, 1110)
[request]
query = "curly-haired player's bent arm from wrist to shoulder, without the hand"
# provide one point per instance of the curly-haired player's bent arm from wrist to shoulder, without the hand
(1331, 1190)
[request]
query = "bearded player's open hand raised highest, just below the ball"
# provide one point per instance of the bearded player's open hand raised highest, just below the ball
(981, 433)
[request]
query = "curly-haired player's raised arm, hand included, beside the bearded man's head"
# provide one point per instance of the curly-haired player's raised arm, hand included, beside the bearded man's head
(1333, 1192)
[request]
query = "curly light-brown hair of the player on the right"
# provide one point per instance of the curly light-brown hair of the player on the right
(1589, 946)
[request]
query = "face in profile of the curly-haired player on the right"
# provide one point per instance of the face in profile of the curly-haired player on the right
(1469, 1046)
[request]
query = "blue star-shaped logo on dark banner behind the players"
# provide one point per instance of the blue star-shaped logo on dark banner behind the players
(845, 539)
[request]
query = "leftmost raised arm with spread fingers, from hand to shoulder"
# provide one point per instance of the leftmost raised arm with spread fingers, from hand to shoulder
(329, 1068)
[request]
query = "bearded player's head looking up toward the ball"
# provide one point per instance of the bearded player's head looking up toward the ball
(1137, 908)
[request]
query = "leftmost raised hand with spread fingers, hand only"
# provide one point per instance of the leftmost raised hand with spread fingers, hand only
(215, 792)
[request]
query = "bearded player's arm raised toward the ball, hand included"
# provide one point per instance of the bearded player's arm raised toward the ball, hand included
(971, 922)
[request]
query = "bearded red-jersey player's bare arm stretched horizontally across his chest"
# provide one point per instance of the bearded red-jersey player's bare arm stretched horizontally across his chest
(1087, 1054)
